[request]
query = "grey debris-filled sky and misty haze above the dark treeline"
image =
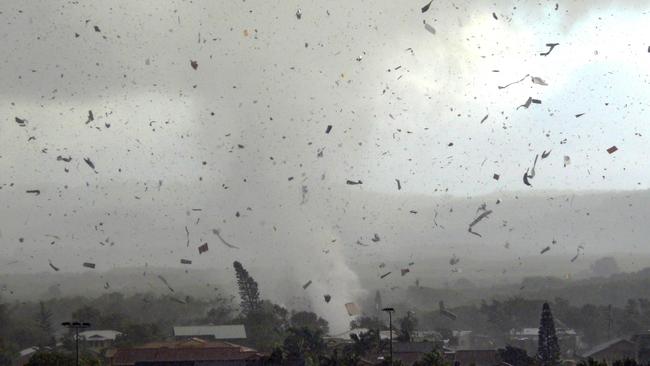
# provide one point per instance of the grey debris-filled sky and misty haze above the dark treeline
(323, 141)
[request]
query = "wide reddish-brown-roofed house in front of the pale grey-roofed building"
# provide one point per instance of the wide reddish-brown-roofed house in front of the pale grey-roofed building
(187, 352)
